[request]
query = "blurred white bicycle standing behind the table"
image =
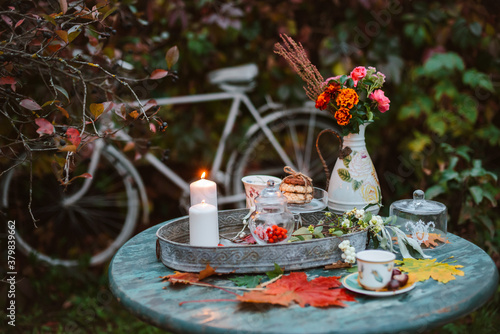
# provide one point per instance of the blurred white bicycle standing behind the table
(96, 216)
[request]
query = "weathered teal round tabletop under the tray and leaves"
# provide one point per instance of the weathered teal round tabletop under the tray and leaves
(134, 280)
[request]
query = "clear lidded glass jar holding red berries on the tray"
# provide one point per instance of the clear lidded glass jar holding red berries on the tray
(271, 222)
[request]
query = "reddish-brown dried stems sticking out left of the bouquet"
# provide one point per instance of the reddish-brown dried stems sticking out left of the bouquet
(296, 56)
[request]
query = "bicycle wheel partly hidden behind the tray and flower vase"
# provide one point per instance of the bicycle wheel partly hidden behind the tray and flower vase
(296, 133)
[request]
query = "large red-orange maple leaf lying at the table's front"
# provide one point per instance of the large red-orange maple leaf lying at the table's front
(319, 292)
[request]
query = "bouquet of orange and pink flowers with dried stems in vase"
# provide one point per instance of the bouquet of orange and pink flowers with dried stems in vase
(353, 100)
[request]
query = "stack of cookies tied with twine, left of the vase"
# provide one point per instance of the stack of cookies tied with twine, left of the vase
(297, 187)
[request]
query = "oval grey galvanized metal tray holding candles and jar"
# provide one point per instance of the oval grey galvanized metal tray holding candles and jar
(172, 247)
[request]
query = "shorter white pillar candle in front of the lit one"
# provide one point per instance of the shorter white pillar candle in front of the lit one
(203, 225)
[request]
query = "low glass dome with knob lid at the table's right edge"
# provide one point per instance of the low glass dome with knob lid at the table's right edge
(421, 219)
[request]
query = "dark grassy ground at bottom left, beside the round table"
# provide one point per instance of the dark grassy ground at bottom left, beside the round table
(61, 300)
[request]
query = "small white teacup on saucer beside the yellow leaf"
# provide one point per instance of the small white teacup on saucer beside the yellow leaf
(375, 268)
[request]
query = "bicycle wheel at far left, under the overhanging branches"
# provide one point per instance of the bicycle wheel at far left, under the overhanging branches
(91, 228)
